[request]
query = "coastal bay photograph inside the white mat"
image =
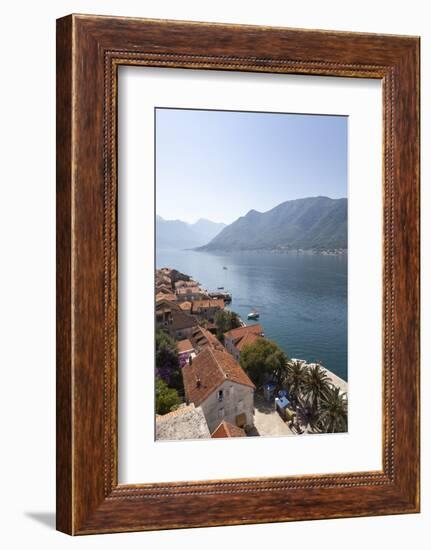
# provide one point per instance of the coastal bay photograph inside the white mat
(251, 259)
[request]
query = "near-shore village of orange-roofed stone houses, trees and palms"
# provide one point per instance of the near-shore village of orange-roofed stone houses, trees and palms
(217, 377)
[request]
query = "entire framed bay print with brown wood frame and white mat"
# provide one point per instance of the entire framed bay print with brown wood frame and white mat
(237, 274)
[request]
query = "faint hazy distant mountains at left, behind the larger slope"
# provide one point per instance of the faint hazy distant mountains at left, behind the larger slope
(177, 234)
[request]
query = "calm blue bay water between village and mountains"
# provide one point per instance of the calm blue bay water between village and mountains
(301, 298)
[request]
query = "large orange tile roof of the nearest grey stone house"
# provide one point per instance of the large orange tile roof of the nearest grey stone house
(208, 370)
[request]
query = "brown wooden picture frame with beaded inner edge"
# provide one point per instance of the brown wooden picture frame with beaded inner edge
(89, 52)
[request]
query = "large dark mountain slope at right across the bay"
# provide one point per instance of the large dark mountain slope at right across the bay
(318, 223)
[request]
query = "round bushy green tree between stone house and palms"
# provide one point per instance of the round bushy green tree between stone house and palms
(263, 360)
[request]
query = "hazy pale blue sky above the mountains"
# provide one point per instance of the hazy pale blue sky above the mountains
(219, 165)
